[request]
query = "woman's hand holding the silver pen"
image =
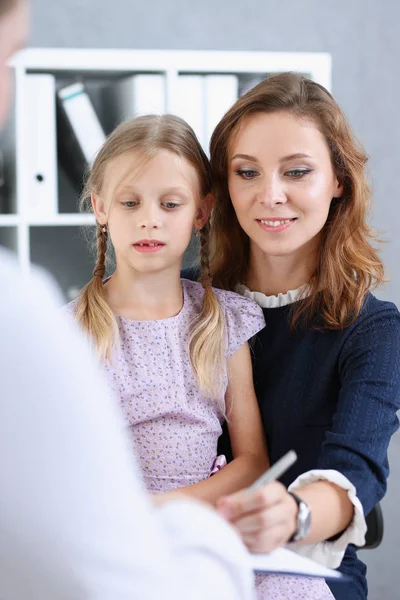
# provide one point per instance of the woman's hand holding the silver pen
(265, 519)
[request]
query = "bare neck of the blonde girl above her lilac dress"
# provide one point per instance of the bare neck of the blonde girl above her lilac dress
(144, 296)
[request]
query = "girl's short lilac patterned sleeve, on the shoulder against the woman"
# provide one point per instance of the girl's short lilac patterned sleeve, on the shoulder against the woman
(243, 319)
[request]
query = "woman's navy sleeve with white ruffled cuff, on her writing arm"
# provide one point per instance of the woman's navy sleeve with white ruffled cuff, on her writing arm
(354, 452)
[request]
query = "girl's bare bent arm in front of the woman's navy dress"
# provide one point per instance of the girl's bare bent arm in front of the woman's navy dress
(246, 434)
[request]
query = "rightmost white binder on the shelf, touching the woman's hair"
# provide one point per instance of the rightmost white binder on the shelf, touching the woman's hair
(220, 92)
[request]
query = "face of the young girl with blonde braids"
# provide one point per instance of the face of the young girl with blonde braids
(151, 212)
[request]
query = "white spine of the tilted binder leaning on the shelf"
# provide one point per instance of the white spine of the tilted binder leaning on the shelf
(83, 120)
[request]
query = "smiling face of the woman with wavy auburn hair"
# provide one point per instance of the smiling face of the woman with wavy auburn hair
(281, 182)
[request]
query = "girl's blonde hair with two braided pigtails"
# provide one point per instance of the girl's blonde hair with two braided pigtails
(149, 134)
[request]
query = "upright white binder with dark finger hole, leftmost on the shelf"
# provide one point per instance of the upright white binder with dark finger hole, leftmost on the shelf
(41, 136)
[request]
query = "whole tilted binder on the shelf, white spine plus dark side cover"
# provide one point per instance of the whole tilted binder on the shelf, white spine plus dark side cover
(80, 133)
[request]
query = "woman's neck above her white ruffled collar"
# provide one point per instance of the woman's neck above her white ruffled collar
(273, 275)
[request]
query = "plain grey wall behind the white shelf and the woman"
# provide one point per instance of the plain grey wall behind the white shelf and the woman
(364, 40)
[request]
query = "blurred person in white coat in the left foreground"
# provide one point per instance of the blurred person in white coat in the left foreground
(75, 521)
